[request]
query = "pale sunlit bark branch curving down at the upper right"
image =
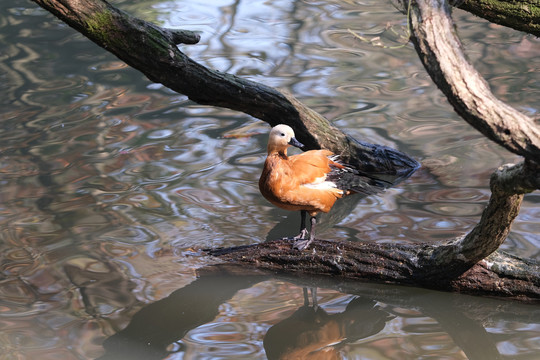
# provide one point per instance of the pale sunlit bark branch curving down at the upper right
(441, 53)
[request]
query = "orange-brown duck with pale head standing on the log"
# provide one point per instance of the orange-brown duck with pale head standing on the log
(310, 182)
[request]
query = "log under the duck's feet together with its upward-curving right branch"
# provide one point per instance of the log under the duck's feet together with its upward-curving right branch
(456, 265)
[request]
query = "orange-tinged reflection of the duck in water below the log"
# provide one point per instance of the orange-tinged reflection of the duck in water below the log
(312, 333)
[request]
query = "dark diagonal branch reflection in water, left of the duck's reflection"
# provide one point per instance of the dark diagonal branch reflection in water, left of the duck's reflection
(157, 326)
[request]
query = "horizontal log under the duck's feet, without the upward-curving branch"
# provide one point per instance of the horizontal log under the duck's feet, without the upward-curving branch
(500, 274)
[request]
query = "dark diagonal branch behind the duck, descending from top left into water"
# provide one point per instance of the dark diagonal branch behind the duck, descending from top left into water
(153, 51)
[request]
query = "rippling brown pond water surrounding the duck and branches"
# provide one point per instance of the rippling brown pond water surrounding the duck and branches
(109, 184)
